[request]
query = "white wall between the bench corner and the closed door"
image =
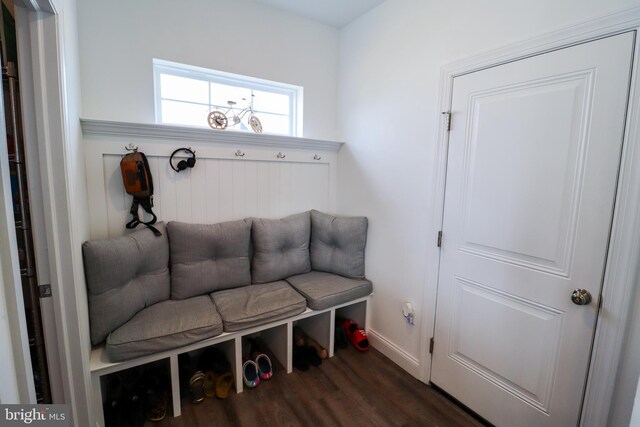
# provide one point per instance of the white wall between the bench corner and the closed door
(390, 61)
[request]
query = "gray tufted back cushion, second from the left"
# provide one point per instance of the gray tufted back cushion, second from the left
(208, 258)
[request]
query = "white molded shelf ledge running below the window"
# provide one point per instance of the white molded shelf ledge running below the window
(188, 133)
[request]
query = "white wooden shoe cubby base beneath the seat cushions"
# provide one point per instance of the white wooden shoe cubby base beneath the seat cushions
(277, 336)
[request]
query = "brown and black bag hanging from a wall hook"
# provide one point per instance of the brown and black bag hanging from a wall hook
(136, 176)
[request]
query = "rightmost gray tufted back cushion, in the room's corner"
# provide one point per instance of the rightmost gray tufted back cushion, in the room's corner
(337, 244)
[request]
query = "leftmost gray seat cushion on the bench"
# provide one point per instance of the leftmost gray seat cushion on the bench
(163, 326)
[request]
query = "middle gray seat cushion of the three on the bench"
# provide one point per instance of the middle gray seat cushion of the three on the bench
(249, 306)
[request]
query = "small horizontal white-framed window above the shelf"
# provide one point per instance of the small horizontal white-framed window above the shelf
(186, 95)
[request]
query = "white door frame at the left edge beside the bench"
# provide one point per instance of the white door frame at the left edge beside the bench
(49, 27)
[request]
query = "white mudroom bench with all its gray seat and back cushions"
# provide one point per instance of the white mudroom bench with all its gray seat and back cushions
(153, 298)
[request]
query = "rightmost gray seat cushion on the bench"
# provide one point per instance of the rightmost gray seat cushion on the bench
(323, 290)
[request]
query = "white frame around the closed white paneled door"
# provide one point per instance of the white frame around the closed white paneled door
(624, 250)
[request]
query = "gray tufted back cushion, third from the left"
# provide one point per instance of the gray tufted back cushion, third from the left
(281, 247)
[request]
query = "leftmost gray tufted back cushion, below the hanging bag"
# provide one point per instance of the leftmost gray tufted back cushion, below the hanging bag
(125, 275)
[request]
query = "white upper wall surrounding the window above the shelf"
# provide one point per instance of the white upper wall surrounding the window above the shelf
(119, 39)
